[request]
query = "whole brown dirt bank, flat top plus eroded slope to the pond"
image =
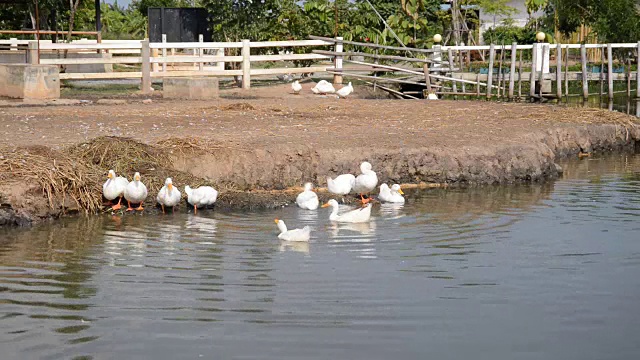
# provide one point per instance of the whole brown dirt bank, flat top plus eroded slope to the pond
(257, 143)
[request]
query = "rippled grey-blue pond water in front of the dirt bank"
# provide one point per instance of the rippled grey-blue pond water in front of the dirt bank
(544, 271)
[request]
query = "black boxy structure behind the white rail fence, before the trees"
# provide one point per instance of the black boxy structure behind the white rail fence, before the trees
(179, 24)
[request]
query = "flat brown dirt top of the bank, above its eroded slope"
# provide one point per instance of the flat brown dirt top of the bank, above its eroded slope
(268, 117)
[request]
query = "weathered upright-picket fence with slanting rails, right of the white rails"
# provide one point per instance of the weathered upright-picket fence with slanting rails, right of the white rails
(441, 69)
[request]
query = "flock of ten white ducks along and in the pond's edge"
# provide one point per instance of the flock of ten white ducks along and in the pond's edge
(135, 192)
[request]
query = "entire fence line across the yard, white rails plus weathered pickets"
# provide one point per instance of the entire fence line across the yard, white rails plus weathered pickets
(441, 69)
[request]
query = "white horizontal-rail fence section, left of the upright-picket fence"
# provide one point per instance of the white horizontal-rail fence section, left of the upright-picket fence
(158, 60)
